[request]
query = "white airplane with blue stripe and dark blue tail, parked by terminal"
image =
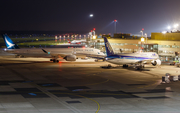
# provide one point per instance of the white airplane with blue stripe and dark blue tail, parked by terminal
(138, 58)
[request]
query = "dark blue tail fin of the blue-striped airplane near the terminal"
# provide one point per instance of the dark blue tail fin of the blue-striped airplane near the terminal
(109, 50)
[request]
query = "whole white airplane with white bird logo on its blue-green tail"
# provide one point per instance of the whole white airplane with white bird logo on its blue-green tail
(69, 54)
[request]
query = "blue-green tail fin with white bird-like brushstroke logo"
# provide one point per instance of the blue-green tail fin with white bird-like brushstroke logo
(9, 43)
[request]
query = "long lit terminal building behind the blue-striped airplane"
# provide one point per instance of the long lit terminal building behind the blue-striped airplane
(166, 45)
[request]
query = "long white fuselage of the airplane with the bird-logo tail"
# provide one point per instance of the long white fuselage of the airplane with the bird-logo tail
(38, 52)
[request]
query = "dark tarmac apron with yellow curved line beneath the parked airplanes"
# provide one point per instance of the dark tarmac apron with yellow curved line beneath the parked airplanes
(36, 85)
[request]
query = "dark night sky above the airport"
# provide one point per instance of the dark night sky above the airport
(73, 15)
